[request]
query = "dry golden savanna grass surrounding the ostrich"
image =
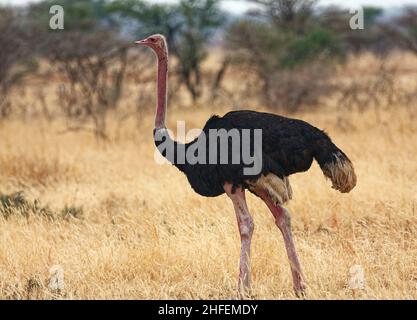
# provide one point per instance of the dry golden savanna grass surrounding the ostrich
(123, 227)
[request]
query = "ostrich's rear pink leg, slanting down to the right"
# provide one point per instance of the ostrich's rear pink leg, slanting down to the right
(283, 222)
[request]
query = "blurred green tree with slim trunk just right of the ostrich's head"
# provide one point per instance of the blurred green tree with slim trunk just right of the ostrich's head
(188, 27)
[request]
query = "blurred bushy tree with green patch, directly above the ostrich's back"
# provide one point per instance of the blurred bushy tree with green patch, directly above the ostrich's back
(289, 50)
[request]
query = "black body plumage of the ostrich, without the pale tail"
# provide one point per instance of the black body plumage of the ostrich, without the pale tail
(288, 146)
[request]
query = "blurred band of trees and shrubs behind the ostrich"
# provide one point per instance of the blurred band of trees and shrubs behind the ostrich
(283, 55)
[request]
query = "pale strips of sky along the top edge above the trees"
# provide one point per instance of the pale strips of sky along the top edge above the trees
(240, 6)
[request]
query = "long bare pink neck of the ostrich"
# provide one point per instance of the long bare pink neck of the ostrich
(161, 89)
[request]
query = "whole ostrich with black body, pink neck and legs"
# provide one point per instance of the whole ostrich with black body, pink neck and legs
(288, 146)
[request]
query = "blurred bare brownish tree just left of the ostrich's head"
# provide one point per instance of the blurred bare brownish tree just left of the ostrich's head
(89, 55)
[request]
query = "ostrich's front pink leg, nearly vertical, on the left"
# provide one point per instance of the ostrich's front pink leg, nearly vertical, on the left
(245, 224)
